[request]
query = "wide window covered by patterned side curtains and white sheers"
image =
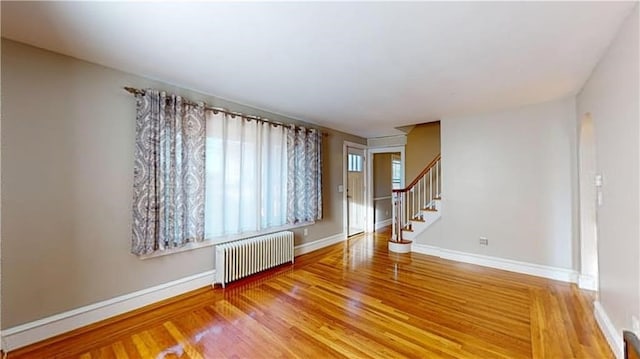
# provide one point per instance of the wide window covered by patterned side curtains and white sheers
(204, 174)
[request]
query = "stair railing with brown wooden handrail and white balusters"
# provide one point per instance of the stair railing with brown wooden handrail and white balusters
(419, 195)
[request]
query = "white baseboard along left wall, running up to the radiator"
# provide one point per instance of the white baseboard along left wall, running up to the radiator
(32, 332)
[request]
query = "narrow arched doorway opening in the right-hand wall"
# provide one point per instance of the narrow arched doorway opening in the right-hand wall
(590, 192)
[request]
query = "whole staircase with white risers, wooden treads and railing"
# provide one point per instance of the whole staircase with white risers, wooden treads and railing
(416, 207)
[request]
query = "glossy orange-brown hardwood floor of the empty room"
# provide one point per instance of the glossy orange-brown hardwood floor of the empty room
(353, 300)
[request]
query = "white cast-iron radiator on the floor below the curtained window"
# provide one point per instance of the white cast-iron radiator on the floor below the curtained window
(238, 259)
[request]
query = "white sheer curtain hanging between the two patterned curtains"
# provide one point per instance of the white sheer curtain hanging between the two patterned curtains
(246, 175)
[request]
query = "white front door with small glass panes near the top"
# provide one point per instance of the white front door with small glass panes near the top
(355, 191)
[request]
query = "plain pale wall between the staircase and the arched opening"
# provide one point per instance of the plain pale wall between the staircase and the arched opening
(509, 176)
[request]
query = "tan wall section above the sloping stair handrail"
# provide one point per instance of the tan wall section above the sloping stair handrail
(423, 145)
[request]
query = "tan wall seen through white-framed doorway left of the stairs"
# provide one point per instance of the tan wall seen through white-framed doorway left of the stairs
(381, 186)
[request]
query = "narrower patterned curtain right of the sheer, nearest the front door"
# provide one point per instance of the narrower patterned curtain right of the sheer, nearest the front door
(304, 175)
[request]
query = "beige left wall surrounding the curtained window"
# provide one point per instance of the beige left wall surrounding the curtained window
(67, 168)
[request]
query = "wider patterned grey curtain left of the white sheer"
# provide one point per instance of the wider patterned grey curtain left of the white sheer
(169, 174)
